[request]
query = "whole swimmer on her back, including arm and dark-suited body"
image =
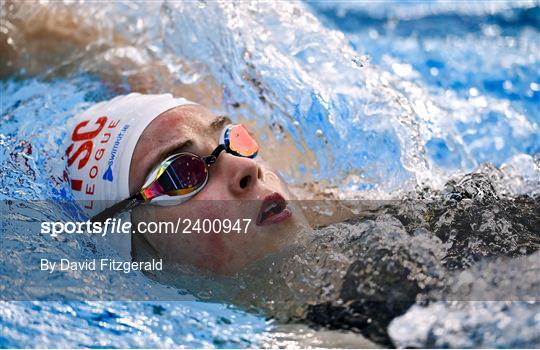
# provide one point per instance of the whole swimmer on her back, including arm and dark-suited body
(352, 277)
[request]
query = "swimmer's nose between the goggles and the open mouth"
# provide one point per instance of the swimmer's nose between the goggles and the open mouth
(242, 173)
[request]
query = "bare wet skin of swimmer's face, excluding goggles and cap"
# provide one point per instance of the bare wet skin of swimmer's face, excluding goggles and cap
(238, 189)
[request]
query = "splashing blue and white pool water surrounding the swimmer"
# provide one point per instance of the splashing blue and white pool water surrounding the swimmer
(379, 98)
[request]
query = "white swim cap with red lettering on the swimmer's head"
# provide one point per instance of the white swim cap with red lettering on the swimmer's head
(102, 140)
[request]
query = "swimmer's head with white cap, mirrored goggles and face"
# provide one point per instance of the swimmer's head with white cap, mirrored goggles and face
(209, 170)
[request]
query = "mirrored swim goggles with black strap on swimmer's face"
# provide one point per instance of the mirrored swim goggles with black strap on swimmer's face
(182, 175)
